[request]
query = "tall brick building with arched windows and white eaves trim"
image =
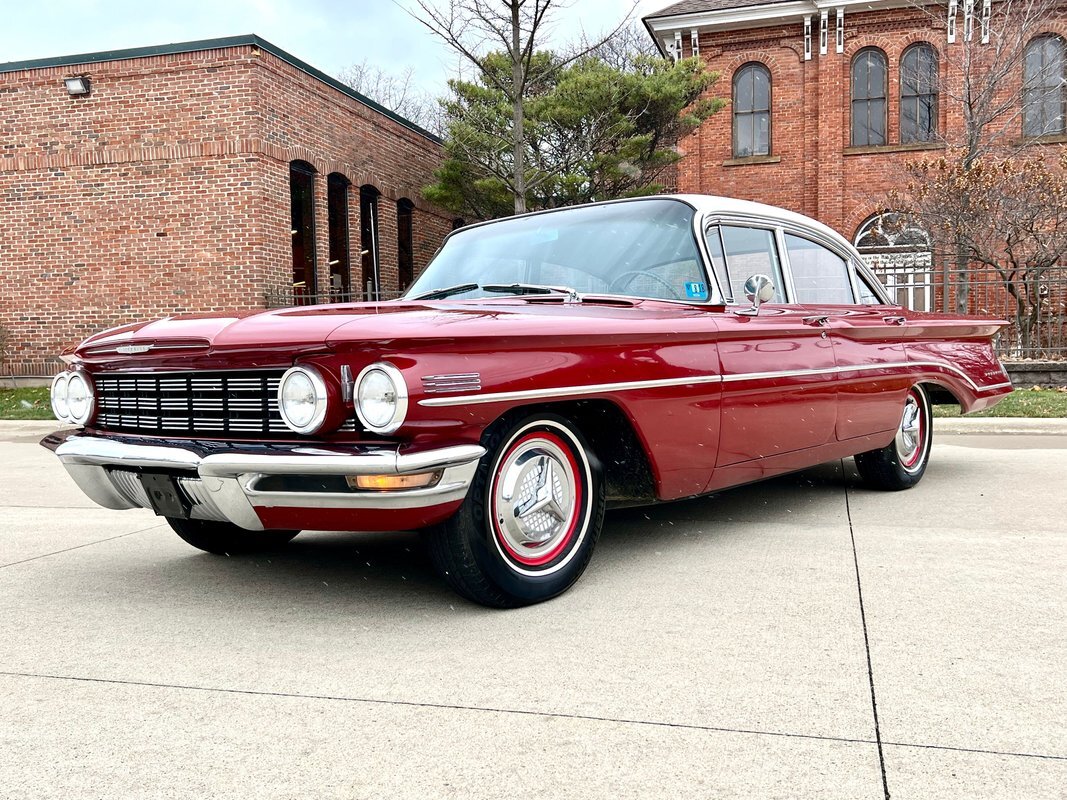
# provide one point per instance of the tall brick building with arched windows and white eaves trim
(831, 98)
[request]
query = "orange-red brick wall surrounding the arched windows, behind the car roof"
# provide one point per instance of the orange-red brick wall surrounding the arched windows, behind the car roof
(813, 169)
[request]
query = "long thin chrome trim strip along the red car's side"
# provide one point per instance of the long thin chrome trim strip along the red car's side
(634, 386)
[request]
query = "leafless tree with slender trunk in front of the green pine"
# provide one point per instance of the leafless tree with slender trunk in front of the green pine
(476, 28)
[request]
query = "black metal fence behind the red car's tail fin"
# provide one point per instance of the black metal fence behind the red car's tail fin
(1033, 302)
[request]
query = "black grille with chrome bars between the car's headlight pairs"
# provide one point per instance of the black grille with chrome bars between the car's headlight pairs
(232, 405)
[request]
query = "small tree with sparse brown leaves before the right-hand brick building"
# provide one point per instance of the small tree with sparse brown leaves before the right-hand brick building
(982, 81)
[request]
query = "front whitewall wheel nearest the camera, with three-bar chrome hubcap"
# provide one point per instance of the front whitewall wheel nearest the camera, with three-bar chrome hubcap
(532, 518)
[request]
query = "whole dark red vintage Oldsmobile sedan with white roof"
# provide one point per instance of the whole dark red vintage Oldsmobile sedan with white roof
(542, 369)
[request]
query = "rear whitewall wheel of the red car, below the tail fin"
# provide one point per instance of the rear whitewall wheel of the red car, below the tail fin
(901, 465)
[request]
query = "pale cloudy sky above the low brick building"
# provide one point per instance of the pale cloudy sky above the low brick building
(328, 35)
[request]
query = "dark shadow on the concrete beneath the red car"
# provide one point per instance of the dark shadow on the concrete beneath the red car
(393, 569)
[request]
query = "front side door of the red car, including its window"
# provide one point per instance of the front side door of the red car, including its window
(779, 392)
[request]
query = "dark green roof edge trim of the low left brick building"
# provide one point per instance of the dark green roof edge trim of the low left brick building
(249, 40)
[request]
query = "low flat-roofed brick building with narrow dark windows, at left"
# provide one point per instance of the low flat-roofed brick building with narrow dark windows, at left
(204, 177)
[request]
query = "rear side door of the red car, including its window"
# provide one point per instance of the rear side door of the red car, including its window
(867, 339)
